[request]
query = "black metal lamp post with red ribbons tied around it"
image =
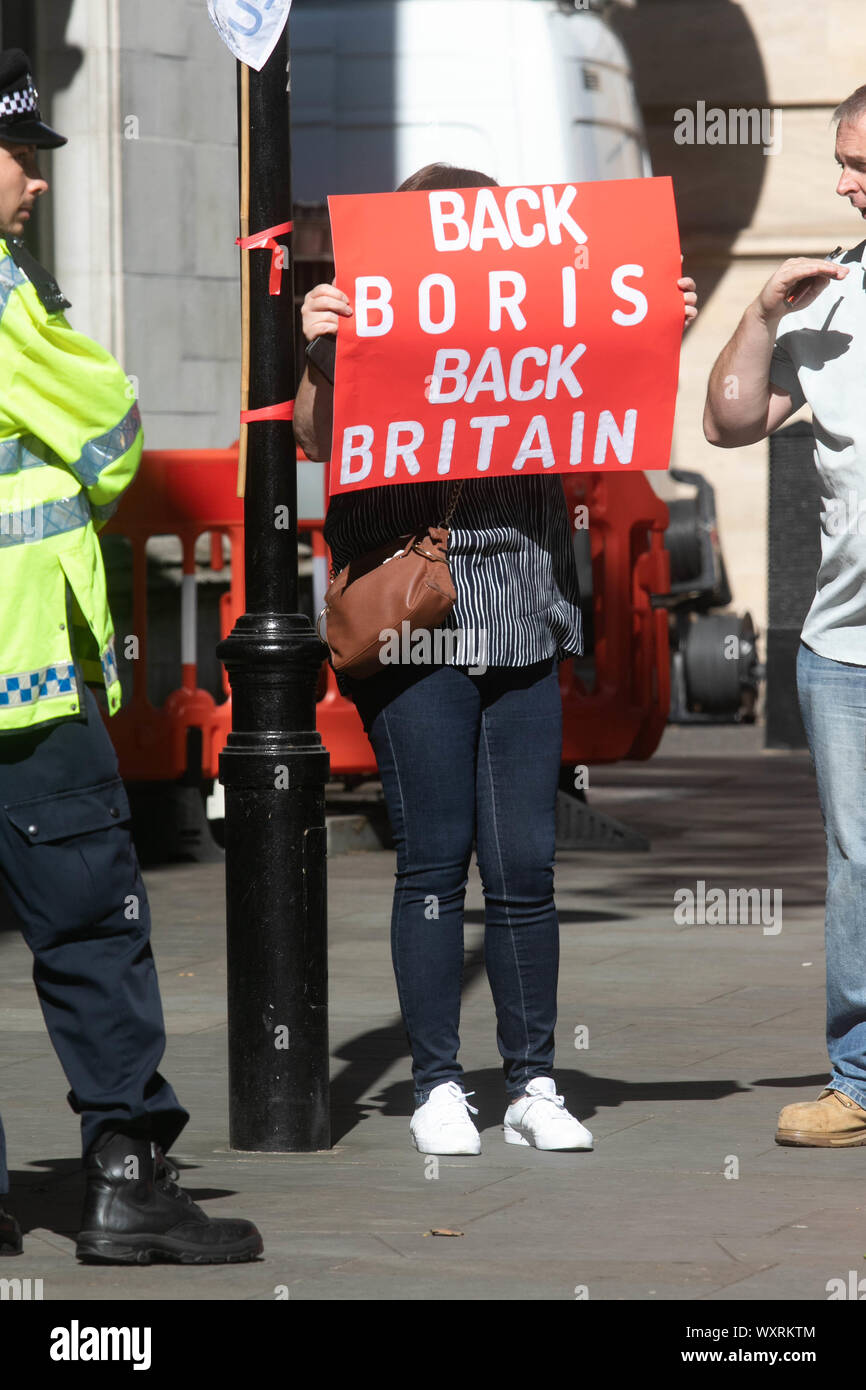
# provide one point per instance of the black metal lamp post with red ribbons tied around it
(275, 767)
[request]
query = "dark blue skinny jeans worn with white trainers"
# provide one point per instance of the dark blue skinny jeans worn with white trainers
(472, 758)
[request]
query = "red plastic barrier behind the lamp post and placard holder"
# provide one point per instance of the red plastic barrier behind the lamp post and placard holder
(191, 493)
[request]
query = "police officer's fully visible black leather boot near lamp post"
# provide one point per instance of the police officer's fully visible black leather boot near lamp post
(136, 1213)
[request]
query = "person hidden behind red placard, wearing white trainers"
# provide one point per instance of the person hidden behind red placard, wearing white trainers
(469, 753)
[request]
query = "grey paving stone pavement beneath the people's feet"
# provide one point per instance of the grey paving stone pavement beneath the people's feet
(697, 1036)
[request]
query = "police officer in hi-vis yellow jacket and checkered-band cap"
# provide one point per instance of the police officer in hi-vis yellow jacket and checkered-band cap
(70, 445)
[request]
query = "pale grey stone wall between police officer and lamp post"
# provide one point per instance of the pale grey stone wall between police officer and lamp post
(145, 202)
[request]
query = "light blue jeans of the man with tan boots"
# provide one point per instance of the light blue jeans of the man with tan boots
(833, 704)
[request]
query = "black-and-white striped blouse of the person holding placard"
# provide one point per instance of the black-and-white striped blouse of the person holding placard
(511, 555)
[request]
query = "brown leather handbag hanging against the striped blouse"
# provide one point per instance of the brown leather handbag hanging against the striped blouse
(404, 582)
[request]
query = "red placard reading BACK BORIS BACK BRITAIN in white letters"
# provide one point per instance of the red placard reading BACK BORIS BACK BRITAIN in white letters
(505, 330)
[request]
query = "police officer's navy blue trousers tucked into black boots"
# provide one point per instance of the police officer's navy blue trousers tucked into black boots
(72, 879)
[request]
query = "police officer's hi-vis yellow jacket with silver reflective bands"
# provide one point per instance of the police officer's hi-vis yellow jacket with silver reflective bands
(70, 445)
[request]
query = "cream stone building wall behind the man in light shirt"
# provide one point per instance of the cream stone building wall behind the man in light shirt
(744, 212)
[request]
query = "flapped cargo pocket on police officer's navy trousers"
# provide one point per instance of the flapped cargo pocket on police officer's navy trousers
(76, 860)
